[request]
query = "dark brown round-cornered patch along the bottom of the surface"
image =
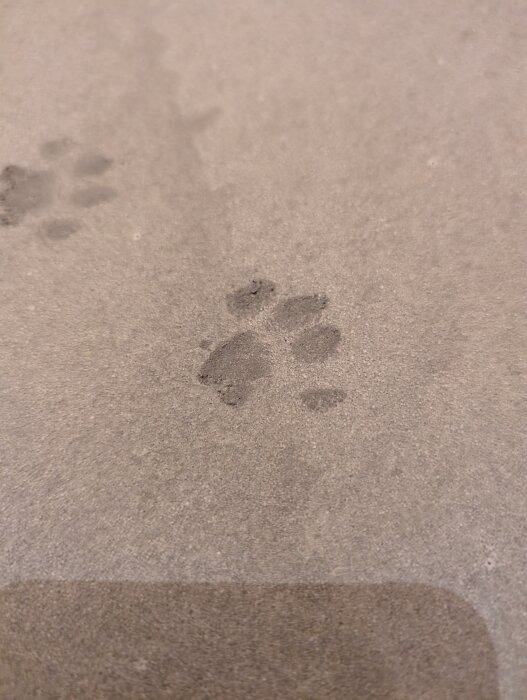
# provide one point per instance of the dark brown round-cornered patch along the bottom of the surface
(229, 641)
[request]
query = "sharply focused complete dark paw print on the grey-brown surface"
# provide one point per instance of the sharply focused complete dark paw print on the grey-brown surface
(235, 366)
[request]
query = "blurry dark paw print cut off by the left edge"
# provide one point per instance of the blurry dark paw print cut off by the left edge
(70, 179)
